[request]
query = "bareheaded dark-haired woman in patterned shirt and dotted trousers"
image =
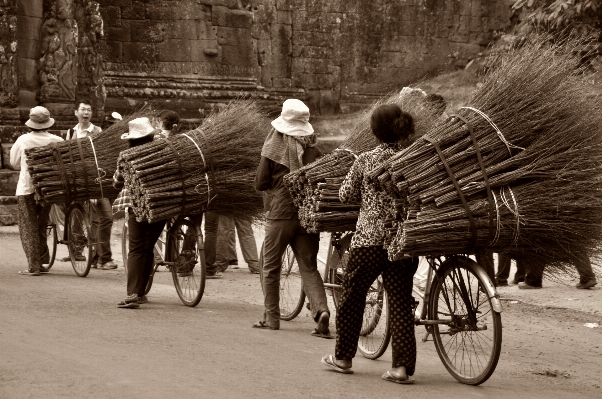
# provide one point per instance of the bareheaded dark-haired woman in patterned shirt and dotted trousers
(368, 259)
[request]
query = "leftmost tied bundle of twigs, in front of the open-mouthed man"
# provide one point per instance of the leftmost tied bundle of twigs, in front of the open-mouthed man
(79, 169)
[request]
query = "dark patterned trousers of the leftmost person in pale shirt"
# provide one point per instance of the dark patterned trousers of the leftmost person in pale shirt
(33, 221)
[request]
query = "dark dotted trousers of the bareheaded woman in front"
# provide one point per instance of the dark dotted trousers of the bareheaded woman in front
(365, 265)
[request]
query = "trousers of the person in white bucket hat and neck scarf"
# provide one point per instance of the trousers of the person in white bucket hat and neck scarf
(279, 233)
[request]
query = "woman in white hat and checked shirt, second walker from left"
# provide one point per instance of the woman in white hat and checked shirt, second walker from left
(143, 235)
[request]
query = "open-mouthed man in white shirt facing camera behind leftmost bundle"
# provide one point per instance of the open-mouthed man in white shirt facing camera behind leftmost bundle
(103, 222)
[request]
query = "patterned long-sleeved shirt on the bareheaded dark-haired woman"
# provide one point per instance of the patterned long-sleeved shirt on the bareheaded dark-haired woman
(376, 206)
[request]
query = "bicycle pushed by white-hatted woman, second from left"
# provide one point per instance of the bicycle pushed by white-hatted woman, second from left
(181, 249)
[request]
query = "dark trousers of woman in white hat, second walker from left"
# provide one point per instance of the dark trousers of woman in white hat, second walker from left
(142, 237)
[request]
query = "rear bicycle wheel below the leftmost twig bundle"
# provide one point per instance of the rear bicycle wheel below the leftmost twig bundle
(79, 238)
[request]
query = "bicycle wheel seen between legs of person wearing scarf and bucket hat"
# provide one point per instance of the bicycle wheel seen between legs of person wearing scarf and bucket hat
(292, 296)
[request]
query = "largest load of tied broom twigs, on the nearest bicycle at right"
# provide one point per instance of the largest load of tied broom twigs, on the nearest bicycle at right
(517, 170)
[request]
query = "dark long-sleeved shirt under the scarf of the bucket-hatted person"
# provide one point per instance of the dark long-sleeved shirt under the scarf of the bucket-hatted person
(277, 200)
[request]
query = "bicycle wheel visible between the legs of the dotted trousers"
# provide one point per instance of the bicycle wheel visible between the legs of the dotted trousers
(375, 333)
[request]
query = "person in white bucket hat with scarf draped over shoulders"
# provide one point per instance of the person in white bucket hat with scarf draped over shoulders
(288, 146)
